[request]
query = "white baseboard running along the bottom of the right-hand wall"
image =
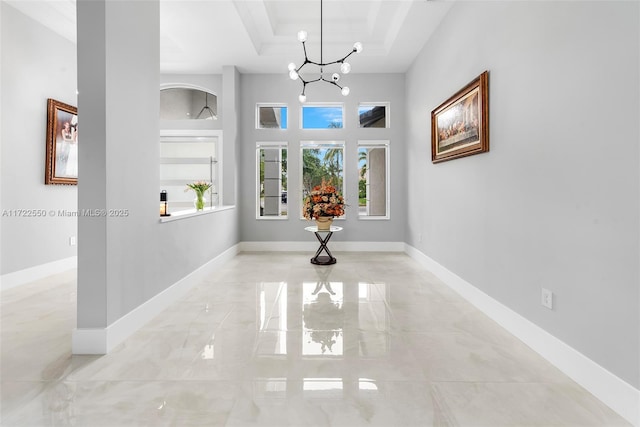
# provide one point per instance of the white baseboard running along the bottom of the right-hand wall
(616, 393)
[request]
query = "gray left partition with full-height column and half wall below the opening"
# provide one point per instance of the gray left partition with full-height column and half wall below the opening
(125, 261)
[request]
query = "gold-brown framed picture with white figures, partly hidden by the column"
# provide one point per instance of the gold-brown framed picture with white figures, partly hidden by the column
(61, 166)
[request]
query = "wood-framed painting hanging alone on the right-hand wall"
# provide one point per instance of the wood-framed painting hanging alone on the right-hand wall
(460, 125)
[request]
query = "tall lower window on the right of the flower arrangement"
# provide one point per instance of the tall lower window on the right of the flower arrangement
(373, 179)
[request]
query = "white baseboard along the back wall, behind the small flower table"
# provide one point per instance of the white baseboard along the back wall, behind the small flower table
(312, 246)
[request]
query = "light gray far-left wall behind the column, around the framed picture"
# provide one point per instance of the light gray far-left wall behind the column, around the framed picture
(36, 64)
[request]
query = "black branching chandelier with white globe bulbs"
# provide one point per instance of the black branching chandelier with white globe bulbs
(345, 67)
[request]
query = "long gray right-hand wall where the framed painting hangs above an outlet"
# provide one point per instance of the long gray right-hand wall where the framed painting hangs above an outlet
(554, 204)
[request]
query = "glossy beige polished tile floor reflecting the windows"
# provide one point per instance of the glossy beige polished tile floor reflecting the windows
(271, 340)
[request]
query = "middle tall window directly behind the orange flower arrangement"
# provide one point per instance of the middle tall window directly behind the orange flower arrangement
(321, 161)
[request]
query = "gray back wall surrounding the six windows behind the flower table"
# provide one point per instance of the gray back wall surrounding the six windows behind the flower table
(270, 88)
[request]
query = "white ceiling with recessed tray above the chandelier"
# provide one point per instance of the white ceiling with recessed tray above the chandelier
(259, 36)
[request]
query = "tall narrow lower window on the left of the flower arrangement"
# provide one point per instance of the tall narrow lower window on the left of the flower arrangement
(272, 200)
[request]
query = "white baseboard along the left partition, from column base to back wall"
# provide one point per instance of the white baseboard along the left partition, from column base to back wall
(102, 340)
